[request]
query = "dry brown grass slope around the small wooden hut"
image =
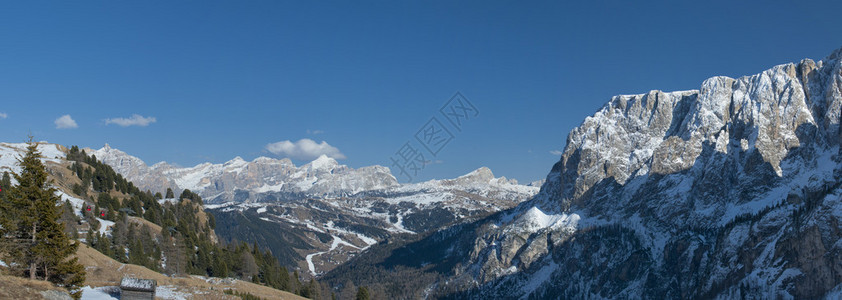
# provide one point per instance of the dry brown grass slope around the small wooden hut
(104, 271)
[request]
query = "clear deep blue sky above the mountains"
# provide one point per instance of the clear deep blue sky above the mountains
(225, 79)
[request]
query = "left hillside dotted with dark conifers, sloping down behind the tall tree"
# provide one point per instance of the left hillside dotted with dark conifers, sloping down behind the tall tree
(171, 235)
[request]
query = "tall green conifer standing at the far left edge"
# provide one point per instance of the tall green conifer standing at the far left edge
(39, 242)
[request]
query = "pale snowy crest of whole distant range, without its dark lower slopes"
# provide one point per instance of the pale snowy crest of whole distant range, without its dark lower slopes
(243, 181)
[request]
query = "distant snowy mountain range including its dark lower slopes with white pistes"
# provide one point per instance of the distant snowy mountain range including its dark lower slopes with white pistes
(322, 213)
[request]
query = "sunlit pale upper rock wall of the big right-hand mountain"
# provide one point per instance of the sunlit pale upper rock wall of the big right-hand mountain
(664, 133)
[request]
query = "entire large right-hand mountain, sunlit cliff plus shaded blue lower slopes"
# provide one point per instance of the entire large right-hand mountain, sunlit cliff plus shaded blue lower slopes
(732, 190)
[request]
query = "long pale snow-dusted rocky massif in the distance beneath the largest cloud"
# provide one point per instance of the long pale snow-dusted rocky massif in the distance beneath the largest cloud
(243, 181)
